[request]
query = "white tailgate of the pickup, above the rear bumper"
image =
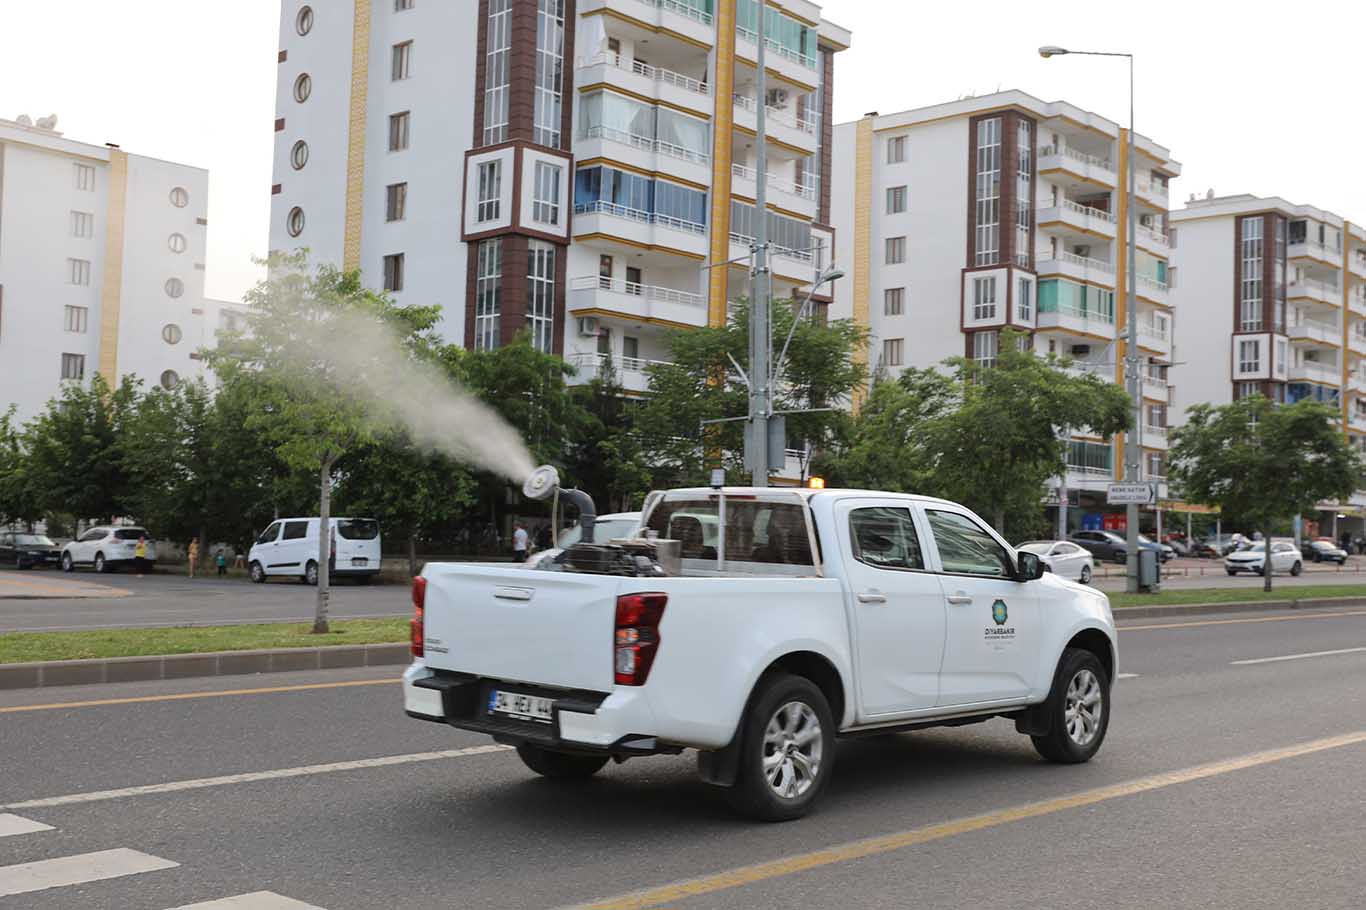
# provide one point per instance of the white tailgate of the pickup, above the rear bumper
(550, 629)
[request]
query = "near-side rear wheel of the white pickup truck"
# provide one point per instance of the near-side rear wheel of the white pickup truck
(787, 751)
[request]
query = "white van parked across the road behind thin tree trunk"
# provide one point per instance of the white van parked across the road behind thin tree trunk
(290, 547)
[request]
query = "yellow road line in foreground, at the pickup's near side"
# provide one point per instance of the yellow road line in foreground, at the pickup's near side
(901, 841)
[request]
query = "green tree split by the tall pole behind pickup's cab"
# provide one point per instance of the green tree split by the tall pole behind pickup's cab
(701, 383)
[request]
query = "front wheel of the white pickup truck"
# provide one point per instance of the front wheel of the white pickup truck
(1078, 710)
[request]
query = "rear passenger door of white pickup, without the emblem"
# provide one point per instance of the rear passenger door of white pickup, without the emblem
(898, 610)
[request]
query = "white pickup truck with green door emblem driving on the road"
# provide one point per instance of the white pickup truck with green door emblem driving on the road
(793, 618)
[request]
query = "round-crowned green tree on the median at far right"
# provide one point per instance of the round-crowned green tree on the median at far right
(1263, 461)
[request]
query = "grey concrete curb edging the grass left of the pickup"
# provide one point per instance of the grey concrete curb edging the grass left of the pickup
(222, 663)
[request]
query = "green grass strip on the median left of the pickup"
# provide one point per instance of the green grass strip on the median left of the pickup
(21, 648)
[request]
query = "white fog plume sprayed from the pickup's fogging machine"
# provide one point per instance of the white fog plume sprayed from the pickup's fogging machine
(367, 363)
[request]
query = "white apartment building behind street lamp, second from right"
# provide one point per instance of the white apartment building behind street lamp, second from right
(964, 219)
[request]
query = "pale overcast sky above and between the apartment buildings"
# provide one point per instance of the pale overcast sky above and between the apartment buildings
(1252, 98)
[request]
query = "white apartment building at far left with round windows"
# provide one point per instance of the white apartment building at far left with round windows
(102, 266)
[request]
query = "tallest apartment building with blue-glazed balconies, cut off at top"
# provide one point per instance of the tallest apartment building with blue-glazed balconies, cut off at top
(557, 167)
